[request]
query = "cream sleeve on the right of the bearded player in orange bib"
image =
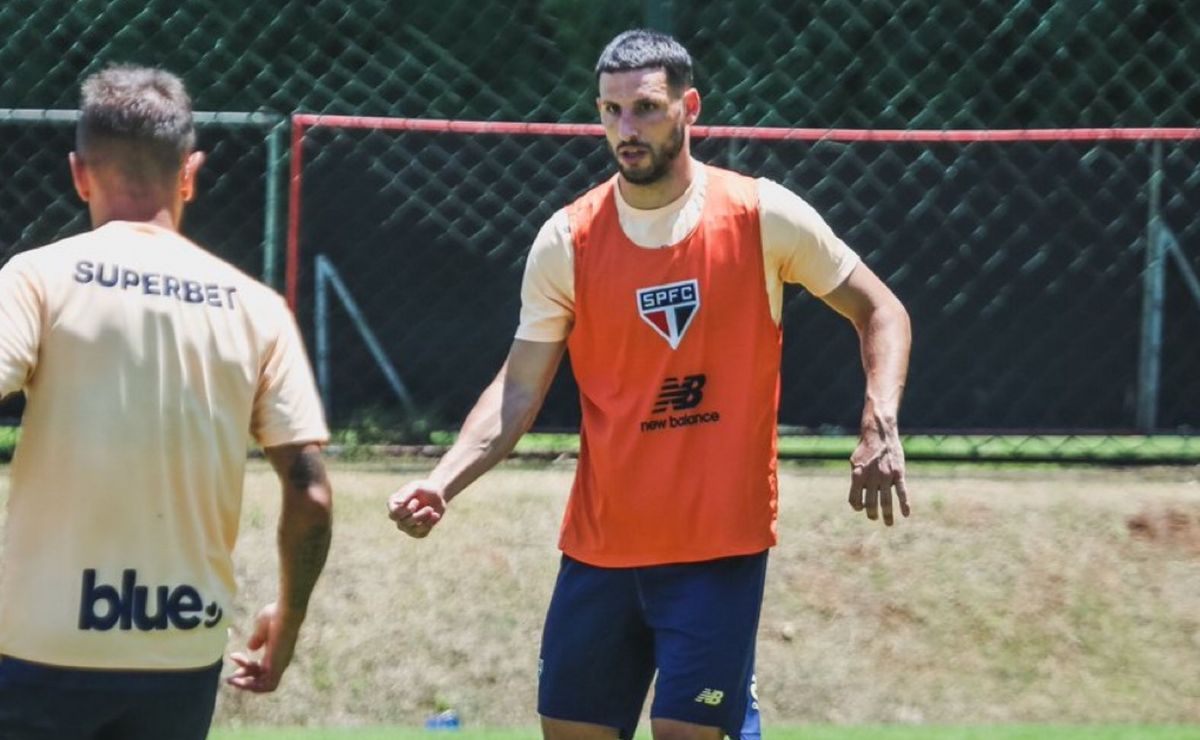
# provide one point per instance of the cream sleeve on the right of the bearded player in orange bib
(800, 244)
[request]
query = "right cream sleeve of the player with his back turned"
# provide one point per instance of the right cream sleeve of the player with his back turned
(287, 406)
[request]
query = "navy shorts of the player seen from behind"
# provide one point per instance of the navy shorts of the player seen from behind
(51, 703)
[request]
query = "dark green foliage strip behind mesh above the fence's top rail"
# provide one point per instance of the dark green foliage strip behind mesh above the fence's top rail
(837, 63)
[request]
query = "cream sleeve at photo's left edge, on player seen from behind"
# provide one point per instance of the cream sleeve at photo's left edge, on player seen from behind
(22, 302)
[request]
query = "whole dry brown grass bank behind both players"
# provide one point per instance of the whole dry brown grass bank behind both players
(1035, 595)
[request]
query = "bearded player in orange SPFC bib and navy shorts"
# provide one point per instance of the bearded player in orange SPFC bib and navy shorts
(665, 285)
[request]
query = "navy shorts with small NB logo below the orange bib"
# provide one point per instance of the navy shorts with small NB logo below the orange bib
(610, 630)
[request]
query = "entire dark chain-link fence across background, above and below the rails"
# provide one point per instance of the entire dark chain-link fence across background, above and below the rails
(1023, 263)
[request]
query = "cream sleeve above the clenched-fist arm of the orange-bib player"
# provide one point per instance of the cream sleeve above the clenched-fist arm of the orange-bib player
(548, 290)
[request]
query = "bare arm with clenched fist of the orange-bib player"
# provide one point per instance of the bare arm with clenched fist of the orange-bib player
(505, 412)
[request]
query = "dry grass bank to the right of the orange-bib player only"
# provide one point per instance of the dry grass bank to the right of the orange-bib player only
(1024, 598)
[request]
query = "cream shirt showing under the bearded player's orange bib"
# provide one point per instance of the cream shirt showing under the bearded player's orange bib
(799, 248)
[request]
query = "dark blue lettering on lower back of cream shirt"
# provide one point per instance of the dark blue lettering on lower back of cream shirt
(104, 607)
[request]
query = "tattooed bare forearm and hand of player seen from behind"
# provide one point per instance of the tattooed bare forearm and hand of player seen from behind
(304, 537)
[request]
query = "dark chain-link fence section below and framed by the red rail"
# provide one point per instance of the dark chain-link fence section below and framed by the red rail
(1021, 262)
